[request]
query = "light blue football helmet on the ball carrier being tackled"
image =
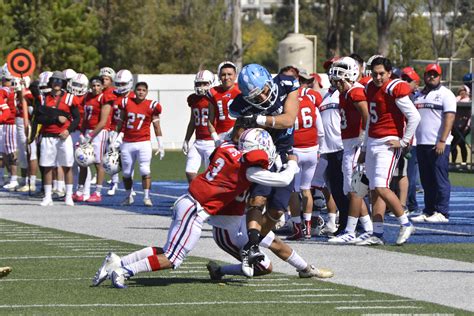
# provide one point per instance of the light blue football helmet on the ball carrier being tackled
(252, 82)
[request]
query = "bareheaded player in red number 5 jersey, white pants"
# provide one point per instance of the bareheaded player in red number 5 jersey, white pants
(389, 106)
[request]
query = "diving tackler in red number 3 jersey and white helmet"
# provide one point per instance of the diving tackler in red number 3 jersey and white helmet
(229, 174)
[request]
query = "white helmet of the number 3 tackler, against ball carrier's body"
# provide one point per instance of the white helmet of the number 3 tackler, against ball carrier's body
(258, 138)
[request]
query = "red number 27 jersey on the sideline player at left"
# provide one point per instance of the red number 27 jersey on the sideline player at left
(138, 117)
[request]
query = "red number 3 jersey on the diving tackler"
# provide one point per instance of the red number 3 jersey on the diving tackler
(225, 177)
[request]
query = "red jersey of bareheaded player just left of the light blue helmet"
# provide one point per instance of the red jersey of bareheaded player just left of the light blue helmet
(221, 100)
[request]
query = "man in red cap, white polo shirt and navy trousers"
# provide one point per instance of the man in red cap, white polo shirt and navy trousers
(437, 107)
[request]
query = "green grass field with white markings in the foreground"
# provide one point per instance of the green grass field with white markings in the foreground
(52, 273)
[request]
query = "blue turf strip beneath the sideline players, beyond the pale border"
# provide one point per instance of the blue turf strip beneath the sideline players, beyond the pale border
(460, 228)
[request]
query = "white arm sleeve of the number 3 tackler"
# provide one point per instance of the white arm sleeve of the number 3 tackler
(266, 177)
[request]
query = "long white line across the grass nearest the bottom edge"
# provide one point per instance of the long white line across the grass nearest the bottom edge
(202, 303)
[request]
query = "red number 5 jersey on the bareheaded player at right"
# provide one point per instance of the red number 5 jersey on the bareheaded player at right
(385, 118)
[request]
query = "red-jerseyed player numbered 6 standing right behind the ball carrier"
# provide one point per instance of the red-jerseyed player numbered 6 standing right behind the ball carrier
(308, 132)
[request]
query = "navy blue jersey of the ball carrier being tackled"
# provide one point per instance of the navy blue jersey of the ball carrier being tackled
(283, 138)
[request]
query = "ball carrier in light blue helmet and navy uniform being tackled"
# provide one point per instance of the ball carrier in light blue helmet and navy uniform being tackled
(271, 103)
